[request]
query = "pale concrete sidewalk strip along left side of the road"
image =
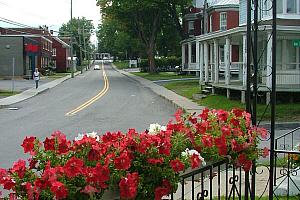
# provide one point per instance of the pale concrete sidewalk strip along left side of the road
(6, 102)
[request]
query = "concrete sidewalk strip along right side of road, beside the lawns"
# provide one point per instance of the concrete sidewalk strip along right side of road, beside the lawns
(175, 99)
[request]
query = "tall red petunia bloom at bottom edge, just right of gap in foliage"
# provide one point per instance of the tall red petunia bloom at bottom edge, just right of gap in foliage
(128, 186)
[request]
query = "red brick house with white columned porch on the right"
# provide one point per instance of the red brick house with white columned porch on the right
(221, 51)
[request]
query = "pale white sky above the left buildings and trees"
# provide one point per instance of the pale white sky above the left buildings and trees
(52, 13)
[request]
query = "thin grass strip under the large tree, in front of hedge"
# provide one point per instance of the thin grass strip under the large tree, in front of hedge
(161, 76)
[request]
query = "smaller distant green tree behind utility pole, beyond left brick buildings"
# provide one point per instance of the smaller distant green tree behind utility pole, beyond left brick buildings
(80, 27)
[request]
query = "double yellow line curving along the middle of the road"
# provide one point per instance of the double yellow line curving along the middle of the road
(93, 99)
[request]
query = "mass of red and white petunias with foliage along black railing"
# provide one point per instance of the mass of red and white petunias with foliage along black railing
(143, 165)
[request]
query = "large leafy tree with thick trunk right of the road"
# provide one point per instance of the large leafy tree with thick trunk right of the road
(145, 18)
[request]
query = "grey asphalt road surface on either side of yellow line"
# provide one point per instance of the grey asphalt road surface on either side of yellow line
(125, 105)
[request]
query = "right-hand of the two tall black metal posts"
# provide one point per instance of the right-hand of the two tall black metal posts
(273, 100)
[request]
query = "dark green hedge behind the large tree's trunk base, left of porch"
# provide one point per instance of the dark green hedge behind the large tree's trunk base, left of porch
(164, 64)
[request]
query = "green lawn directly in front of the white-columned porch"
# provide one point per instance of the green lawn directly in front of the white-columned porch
(284, 112)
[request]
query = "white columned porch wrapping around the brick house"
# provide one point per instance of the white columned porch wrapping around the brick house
(220, 58)
